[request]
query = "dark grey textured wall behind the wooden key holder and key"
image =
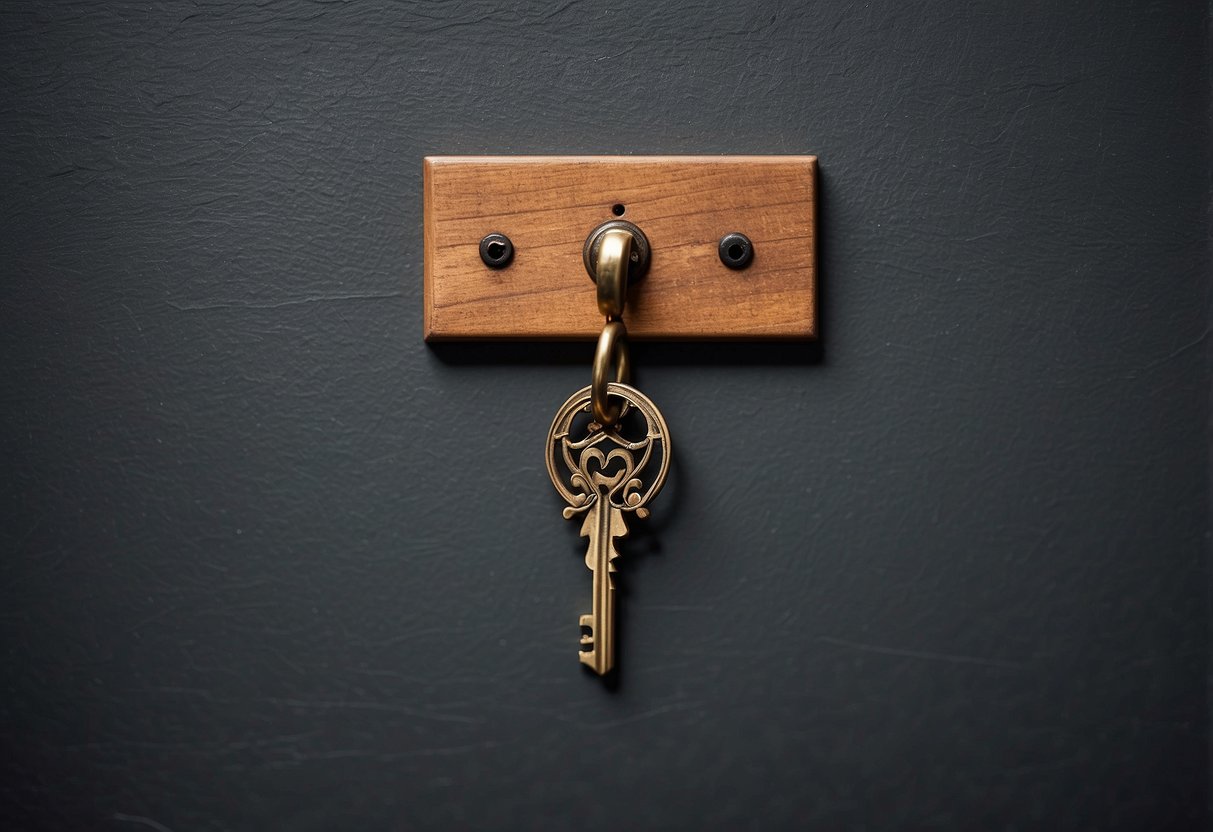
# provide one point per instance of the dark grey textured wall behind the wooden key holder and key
(272, 563)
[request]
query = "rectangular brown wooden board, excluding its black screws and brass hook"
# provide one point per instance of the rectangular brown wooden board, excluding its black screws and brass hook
(548, 207)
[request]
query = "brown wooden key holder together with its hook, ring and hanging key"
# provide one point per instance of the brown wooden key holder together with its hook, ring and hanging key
(692, 248)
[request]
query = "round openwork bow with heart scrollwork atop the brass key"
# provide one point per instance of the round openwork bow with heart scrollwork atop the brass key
(614, 474)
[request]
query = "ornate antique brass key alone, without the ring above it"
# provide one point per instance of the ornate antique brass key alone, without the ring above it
(601, 476)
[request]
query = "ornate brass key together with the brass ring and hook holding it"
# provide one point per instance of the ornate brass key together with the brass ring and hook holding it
(613, 465)
